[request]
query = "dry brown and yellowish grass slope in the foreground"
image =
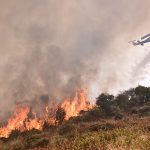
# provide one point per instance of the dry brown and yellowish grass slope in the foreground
(132, 134)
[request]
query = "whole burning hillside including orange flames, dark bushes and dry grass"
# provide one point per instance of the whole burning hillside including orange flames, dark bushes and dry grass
(111, 124)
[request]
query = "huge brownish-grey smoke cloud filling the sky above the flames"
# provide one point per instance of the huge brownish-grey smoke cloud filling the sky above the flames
(54, 47)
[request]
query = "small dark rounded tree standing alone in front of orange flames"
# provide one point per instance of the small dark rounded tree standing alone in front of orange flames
(60, 115)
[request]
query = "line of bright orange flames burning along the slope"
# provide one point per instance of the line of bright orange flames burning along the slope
(22, 122)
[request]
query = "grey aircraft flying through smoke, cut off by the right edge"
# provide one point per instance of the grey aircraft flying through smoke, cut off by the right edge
(142, 41)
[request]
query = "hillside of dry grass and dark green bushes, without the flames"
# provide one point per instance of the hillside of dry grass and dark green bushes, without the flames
(119, 122)
